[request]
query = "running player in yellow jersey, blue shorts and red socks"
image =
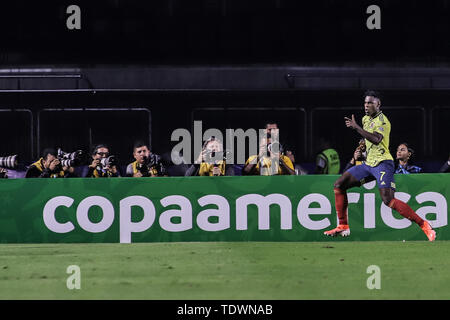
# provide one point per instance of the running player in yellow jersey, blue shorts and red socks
(379, 165)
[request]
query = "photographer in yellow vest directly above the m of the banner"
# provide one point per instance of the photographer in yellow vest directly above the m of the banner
(270, 154)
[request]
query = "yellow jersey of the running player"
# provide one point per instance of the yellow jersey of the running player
(377, 153)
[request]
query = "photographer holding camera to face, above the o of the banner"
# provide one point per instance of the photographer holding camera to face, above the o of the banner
(103, 164)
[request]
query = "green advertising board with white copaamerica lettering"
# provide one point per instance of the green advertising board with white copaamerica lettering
(256, 208)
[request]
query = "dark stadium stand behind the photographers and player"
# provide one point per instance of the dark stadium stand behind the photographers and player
(140, 69)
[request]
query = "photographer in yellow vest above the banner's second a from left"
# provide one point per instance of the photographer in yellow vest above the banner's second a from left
(211, 161)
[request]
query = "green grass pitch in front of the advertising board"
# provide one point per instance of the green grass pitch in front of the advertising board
(227, 270)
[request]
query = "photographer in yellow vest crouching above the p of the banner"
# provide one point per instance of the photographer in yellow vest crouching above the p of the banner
(147, 164)
